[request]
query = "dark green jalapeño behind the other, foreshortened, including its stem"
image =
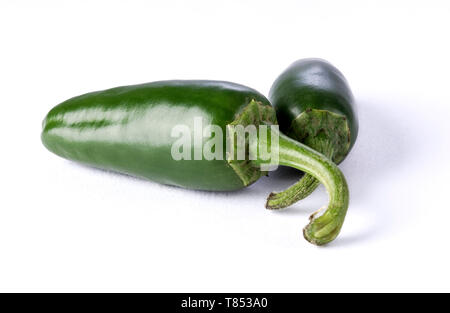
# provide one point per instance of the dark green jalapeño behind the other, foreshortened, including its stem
(315, 106)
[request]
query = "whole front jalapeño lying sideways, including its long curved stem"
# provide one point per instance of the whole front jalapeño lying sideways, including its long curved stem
(131, 130)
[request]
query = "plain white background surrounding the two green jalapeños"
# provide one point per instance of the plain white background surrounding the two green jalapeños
(66, 227)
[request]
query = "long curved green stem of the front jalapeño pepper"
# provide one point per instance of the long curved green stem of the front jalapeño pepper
(325, 228)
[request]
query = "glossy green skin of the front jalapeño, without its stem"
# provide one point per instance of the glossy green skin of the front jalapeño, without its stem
(129, 130)
